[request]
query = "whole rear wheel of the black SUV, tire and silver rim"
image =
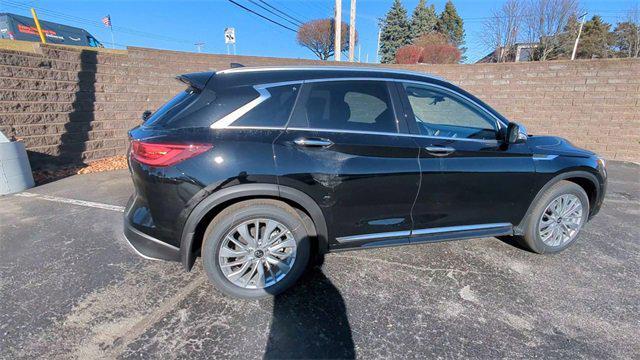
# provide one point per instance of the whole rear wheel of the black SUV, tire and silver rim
(244, 214)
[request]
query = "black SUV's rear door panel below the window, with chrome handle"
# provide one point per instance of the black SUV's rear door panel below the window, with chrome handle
(363, 183)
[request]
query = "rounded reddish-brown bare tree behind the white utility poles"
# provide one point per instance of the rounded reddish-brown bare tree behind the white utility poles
(317, 36)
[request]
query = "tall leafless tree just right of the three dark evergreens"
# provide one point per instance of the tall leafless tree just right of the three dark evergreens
(502, 29)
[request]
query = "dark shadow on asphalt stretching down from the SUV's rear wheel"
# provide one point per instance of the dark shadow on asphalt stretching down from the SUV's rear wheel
(310, 322)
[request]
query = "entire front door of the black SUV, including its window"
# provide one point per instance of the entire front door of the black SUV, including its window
(480, 180)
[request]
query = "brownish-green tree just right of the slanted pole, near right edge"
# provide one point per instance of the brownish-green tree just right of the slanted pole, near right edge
(595, 39)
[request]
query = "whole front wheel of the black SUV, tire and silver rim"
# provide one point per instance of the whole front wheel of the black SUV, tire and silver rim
(533, 238)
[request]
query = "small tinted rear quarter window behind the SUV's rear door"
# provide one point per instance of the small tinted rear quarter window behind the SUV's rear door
(274, 111)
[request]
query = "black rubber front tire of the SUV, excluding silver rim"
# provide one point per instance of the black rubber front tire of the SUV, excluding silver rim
(531, 238)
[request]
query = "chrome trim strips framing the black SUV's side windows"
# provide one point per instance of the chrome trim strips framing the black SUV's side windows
(264, 95)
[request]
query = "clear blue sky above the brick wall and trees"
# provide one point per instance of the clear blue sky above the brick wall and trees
(179, 25)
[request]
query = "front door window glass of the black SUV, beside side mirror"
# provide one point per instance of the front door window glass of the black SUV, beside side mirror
(440, 113)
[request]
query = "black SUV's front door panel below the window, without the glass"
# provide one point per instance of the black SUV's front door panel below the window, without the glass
(486, 183)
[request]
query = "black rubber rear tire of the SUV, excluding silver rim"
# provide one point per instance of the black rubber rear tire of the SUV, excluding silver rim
(234, 215)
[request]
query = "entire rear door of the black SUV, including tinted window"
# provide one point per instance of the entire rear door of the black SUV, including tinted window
(364, 181)
